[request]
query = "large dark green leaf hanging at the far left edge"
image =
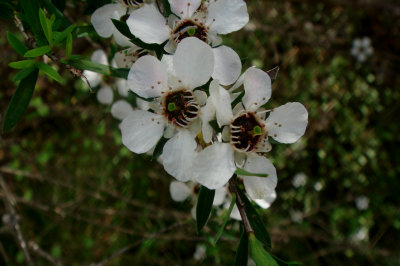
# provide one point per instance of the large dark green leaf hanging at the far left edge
(20, 101)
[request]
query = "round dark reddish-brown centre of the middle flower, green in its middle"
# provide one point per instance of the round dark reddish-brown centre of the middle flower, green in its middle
(181, 108)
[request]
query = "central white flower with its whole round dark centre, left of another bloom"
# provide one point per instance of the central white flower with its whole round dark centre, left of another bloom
(193, 64)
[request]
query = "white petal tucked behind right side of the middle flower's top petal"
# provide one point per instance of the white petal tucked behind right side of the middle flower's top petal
(227, 65)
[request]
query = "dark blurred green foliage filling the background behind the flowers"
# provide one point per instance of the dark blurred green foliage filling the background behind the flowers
(81, 196)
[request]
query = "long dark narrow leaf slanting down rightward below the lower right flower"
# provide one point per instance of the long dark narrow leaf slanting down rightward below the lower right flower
(255, 220)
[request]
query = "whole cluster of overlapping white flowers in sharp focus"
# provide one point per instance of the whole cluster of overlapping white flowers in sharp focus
(210, 118)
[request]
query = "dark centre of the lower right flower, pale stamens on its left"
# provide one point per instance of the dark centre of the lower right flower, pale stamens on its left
(246, 132)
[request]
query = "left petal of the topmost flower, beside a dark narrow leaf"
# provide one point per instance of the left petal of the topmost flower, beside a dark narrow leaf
(149, 25)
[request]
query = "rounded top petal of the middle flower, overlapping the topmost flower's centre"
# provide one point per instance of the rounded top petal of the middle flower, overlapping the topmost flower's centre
(193, 62)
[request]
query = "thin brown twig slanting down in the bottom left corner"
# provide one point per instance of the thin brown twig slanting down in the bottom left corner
(9, 202)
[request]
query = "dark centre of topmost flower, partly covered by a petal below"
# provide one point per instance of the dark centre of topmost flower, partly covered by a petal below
(189, 28)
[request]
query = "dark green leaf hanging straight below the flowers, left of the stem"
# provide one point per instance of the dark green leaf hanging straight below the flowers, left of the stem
(204, 206)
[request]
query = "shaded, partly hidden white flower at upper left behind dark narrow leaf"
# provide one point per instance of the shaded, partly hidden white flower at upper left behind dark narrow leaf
(102, 23)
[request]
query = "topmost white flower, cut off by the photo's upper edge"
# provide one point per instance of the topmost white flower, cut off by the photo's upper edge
(201, 19)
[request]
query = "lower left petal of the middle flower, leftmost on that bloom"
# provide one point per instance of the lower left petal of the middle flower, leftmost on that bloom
(141, 130)
